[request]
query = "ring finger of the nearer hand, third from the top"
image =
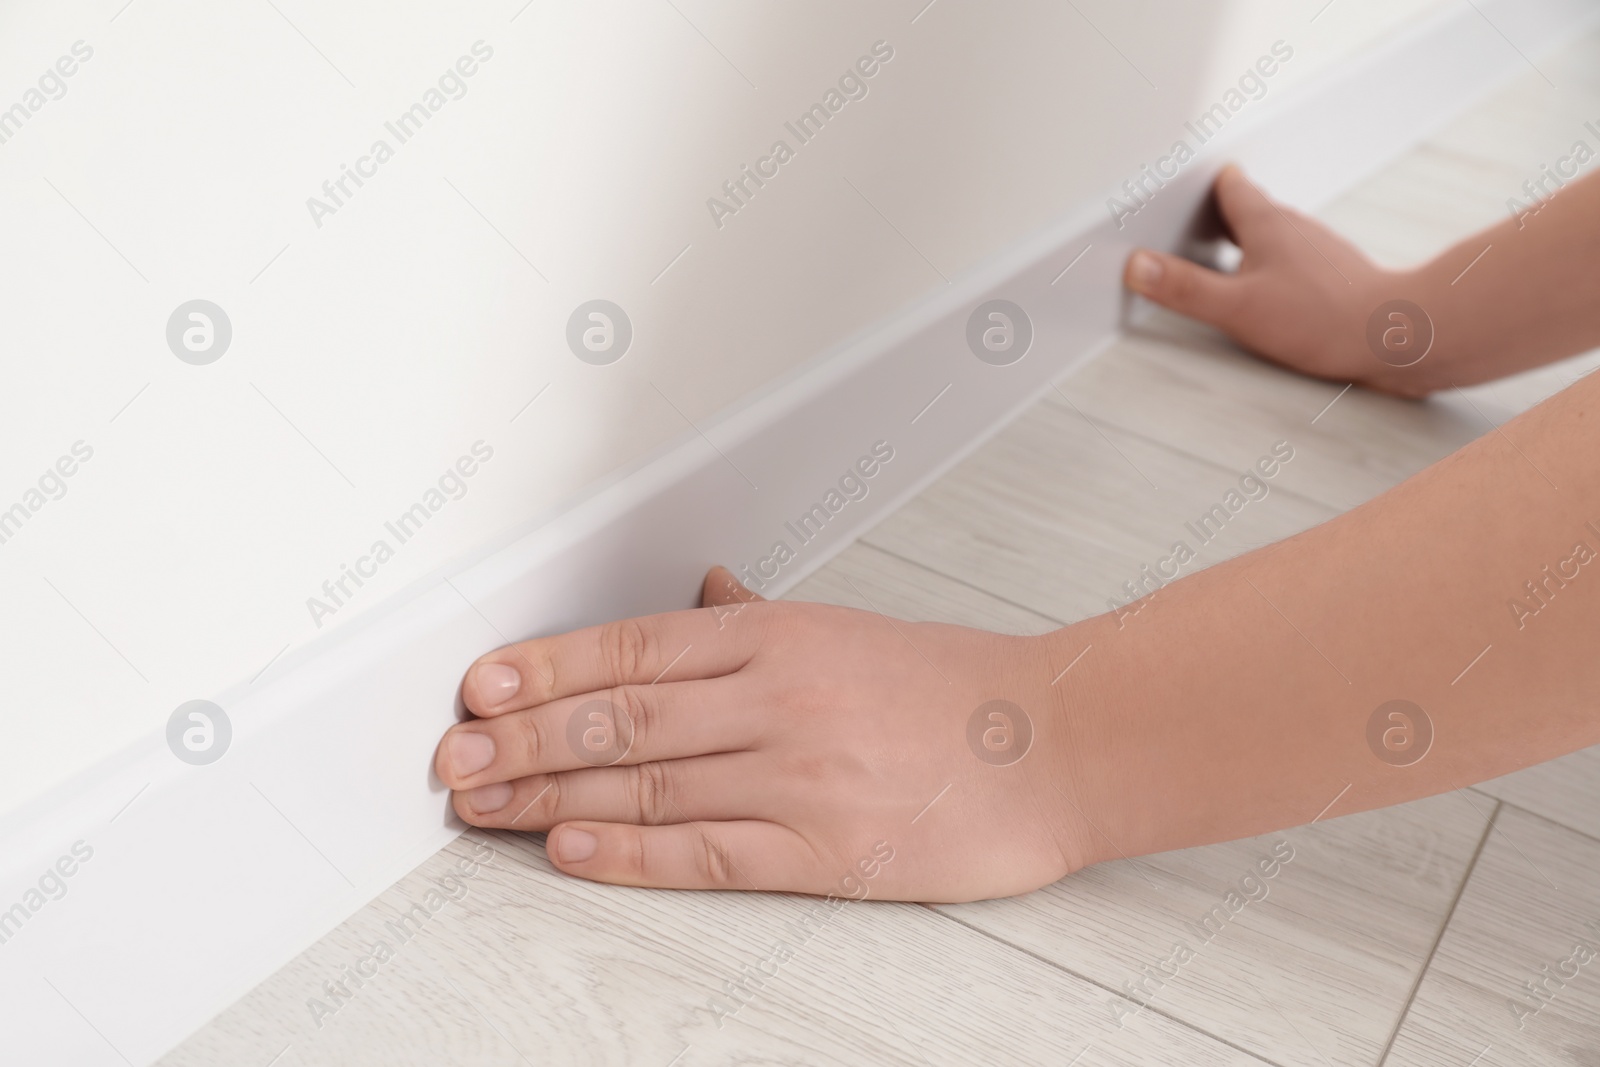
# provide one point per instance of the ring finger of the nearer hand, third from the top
(649, 794)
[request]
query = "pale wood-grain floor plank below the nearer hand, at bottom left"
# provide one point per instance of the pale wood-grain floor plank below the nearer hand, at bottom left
(524, 965)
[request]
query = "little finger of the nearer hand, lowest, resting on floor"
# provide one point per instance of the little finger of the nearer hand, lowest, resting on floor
(748, 855)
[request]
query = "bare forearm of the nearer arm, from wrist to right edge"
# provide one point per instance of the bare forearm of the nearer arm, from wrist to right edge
(1238, 701)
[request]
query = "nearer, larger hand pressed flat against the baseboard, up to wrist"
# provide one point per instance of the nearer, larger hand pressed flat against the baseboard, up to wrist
(775, 746)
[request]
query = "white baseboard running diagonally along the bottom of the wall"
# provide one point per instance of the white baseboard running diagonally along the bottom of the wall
(202, 881)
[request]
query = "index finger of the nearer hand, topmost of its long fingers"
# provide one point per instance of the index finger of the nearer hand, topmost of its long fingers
(628, 652)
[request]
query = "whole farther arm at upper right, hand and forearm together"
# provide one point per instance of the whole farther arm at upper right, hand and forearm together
(1303, 295)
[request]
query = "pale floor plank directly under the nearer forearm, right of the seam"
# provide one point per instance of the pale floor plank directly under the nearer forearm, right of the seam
(1308, 965)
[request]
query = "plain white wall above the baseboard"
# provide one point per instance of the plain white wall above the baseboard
(414, 322)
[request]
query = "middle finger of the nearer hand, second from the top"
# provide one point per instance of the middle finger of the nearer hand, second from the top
(628, 725)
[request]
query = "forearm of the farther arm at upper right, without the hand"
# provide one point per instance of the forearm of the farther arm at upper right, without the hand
(1532, 298)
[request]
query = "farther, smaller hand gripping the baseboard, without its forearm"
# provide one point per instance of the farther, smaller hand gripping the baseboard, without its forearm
(1302, 297)
